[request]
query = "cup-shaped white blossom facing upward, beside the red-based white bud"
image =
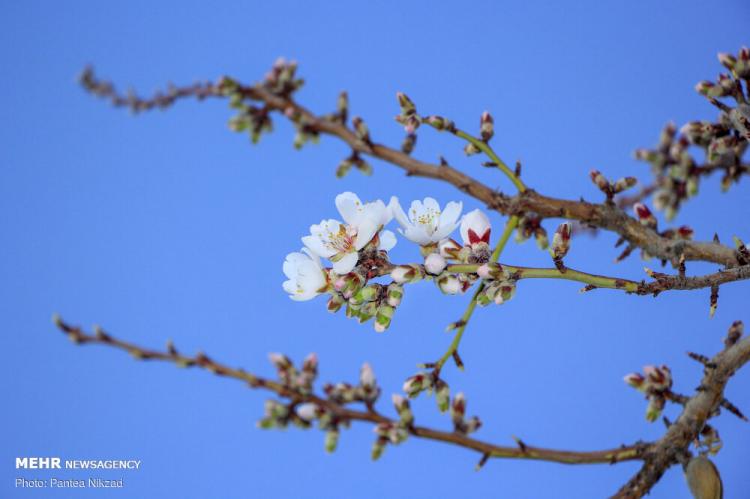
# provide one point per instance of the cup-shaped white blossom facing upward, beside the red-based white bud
(426, 224)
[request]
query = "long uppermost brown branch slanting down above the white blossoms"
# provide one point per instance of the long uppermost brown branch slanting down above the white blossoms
(604, 216)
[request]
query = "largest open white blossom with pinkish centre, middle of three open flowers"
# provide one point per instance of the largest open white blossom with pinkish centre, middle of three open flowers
(341, 242)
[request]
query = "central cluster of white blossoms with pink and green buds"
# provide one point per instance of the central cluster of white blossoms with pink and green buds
(357, 247)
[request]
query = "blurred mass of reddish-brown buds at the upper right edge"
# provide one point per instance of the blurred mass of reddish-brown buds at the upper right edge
(723, 142)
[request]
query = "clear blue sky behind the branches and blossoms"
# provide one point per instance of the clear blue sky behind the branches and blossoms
(167, 225)
